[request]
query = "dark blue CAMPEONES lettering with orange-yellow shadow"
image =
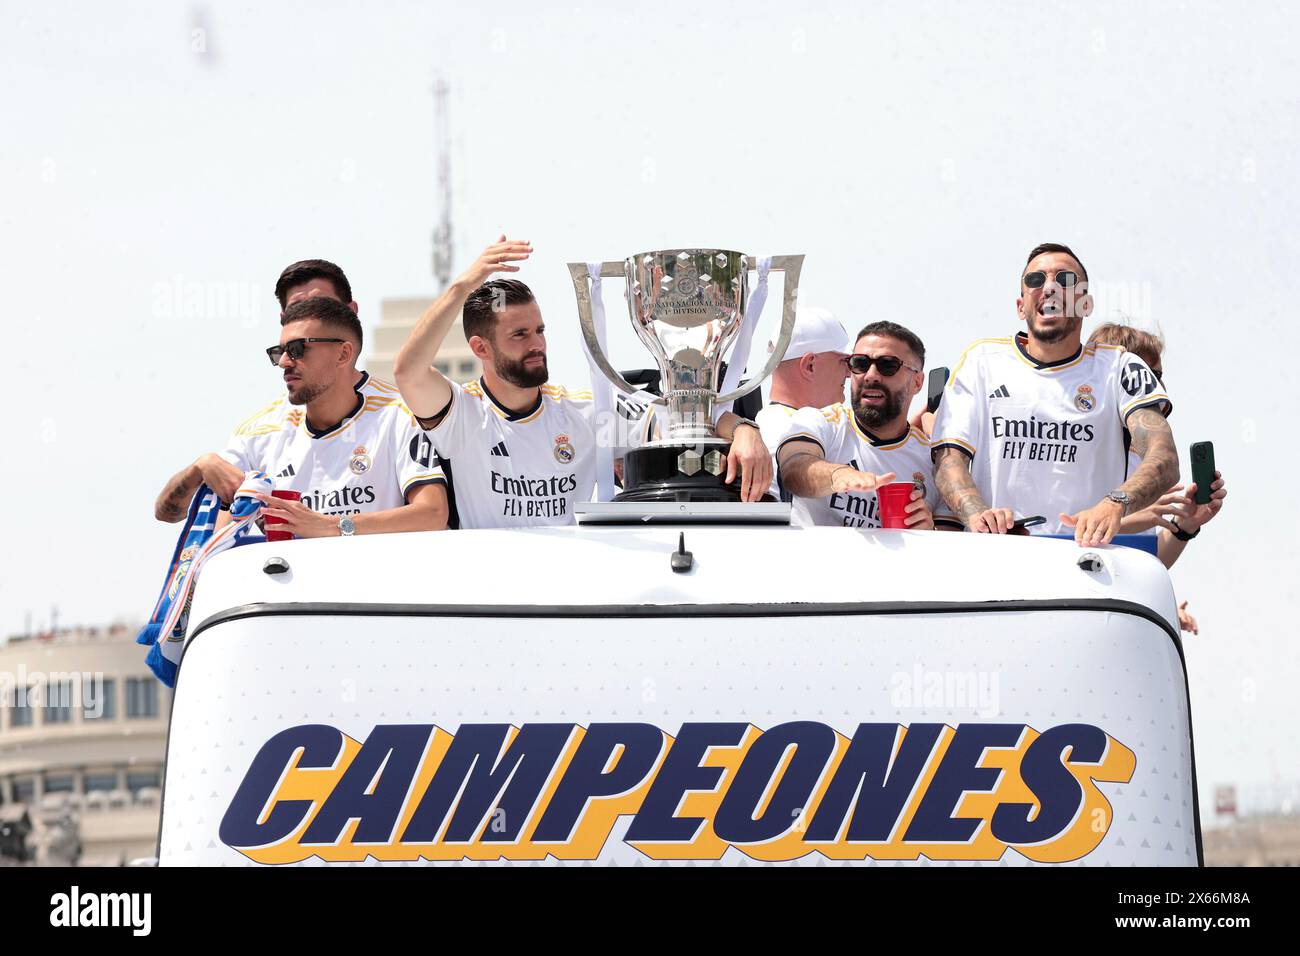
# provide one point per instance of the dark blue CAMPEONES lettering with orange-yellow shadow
(495, 791)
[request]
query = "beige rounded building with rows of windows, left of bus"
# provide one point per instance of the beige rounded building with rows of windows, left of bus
(83, 741)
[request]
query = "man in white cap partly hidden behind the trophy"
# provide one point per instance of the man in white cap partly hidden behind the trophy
(812, 375)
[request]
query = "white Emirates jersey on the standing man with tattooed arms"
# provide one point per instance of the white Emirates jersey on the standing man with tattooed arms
(1045, 439)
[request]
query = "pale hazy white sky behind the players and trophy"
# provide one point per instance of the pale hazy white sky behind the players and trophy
(162, 163)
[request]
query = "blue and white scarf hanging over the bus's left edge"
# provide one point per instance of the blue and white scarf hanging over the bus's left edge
(198, 542)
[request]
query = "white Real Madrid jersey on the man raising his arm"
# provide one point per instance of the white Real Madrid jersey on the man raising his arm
(517, 470)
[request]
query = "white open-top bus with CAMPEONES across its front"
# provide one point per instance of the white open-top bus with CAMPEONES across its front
(675, 691)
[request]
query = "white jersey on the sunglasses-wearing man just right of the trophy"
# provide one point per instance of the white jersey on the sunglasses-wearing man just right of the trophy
(844, 442)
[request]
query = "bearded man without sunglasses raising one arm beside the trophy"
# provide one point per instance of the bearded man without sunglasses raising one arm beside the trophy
(519, 452)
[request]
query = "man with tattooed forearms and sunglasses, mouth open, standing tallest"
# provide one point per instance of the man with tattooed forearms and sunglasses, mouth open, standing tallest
(1039, 425)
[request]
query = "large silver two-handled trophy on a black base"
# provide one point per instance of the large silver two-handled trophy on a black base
(688, 306)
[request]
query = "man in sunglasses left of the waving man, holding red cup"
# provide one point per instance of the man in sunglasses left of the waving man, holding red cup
(344, 440)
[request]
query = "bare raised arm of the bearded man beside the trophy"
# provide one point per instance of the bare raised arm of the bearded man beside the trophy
(424, 390)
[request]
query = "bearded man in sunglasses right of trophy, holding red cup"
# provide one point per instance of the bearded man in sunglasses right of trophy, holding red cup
(834, 458)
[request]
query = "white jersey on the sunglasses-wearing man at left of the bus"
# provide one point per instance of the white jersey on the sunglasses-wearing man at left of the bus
(367, 462)
